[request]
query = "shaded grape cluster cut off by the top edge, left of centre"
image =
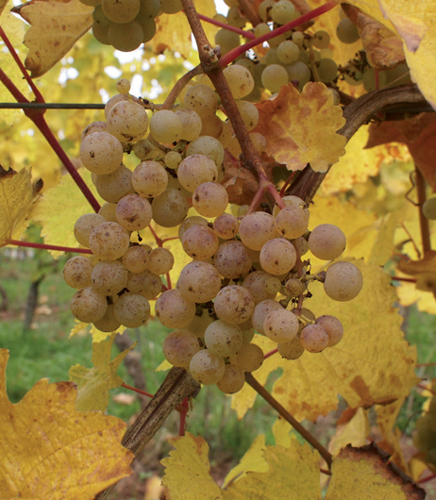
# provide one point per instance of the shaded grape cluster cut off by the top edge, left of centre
(126, 24)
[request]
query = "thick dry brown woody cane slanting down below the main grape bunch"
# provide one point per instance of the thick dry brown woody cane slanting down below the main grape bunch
(177, 386)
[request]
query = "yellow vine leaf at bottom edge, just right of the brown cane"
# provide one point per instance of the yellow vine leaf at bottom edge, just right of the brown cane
(187, 474)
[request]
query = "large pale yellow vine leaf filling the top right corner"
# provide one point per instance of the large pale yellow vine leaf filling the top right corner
(415, 24)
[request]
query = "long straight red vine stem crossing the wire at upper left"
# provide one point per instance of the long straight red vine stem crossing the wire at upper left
(38, 119)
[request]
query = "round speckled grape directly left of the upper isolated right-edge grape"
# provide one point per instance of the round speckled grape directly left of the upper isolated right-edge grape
(278, 256)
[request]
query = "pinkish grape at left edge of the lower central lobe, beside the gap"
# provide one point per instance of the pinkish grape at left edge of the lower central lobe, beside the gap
(173, 310)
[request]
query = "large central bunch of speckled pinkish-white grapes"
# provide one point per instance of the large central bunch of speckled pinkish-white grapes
(246, 273)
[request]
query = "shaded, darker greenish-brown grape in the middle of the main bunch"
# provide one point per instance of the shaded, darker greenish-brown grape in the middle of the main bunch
(170, 208)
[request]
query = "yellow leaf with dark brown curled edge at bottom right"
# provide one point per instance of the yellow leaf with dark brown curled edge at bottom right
(365, 473)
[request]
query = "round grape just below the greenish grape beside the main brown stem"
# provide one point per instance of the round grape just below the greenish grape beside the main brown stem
(196, 169)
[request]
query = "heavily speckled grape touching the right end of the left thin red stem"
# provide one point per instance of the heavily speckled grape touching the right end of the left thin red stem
(109, 241)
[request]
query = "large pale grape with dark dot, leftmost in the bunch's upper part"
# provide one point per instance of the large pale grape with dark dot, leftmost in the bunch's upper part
(101, 153)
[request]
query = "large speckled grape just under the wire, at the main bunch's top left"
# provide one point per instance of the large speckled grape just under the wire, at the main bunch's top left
(127, 121)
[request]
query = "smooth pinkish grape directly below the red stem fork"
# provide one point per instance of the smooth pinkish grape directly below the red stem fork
(256, 229)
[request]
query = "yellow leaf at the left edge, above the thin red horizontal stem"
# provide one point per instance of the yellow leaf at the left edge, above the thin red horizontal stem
(17, 197)
